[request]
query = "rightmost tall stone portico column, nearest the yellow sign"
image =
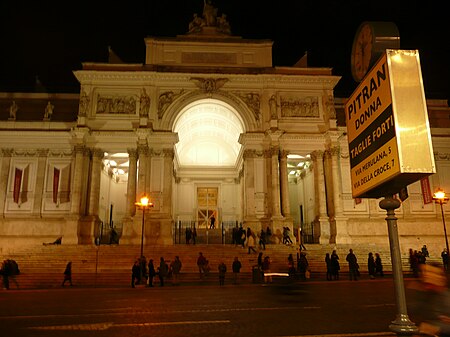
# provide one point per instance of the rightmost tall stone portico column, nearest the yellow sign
(340, 230)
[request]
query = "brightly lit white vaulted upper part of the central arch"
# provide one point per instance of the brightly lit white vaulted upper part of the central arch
(208, 132)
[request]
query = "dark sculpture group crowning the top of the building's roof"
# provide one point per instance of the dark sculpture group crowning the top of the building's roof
(209, 23)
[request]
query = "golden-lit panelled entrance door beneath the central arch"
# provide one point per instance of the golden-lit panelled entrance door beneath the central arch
(206, 206)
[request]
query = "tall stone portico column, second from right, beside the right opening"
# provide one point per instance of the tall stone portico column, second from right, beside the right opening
(322, 224)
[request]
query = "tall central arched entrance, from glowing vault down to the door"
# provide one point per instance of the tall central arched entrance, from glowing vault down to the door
(208, 159)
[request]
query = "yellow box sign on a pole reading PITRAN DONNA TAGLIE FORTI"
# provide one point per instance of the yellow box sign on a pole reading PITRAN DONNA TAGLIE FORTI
(377, 114)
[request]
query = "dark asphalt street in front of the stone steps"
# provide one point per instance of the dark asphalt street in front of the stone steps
(336, 308)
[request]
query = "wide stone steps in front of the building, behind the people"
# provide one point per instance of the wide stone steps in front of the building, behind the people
(110, 265)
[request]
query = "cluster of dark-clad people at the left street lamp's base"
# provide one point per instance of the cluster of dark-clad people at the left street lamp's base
(144, 274)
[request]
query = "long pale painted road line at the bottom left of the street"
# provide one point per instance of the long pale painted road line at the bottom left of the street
(108, 325)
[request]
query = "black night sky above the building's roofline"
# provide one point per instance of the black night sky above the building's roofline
(50, 39)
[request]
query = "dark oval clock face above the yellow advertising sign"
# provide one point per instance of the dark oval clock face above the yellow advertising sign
(362, 51)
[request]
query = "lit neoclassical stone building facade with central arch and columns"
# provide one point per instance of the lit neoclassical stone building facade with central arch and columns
(206, 126)
